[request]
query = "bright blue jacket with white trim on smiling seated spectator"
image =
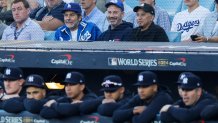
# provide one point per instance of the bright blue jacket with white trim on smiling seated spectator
(86, 32)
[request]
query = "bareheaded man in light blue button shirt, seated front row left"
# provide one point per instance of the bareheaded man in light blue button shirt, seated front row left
(23, 28)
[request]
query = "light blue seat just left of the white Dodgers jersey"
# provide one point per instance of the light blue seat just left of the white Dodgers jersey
(171, 6)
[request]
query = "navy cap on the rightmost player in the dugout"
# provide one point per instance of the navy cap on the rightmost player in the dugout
(189, 81)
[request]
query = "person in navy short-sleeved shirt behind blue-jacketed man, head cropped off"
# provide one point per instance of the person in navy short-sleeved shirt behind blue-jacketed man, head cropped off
(51, 17)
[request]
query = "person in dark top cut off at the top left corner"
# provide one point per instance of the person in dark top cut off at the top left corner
(6, 13)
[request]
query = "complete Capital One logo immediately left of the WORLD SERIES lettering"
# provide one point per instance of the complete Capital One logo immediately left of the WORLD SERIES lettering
(65, 59)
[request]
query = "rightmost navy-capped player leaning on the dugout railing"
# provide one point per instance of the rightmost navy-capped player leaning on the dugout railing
(194, 99)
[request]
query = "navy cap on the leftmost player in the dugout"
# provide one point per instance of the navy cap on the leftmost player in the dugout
(12, 74)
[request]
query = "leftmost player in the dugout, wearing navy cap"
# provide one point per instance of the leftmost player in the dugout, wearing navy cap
(13, 84)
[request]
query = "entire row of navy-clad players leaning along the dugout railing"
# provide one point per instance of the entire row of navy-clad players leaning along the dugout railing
(153, 101)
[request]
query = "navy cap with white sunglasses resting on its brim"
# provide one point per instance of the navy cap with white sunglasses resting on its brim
(111, 83)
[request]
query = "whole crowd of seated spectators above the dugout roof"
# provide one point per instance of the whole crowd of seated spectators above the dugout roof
(83, 21)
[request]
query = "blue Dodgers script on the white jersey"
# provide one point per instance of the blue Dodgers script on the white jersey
(187, 25)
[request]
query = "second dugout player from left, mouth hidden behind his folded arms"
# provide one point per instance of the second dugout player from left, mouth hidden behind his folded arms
(35, 93)
